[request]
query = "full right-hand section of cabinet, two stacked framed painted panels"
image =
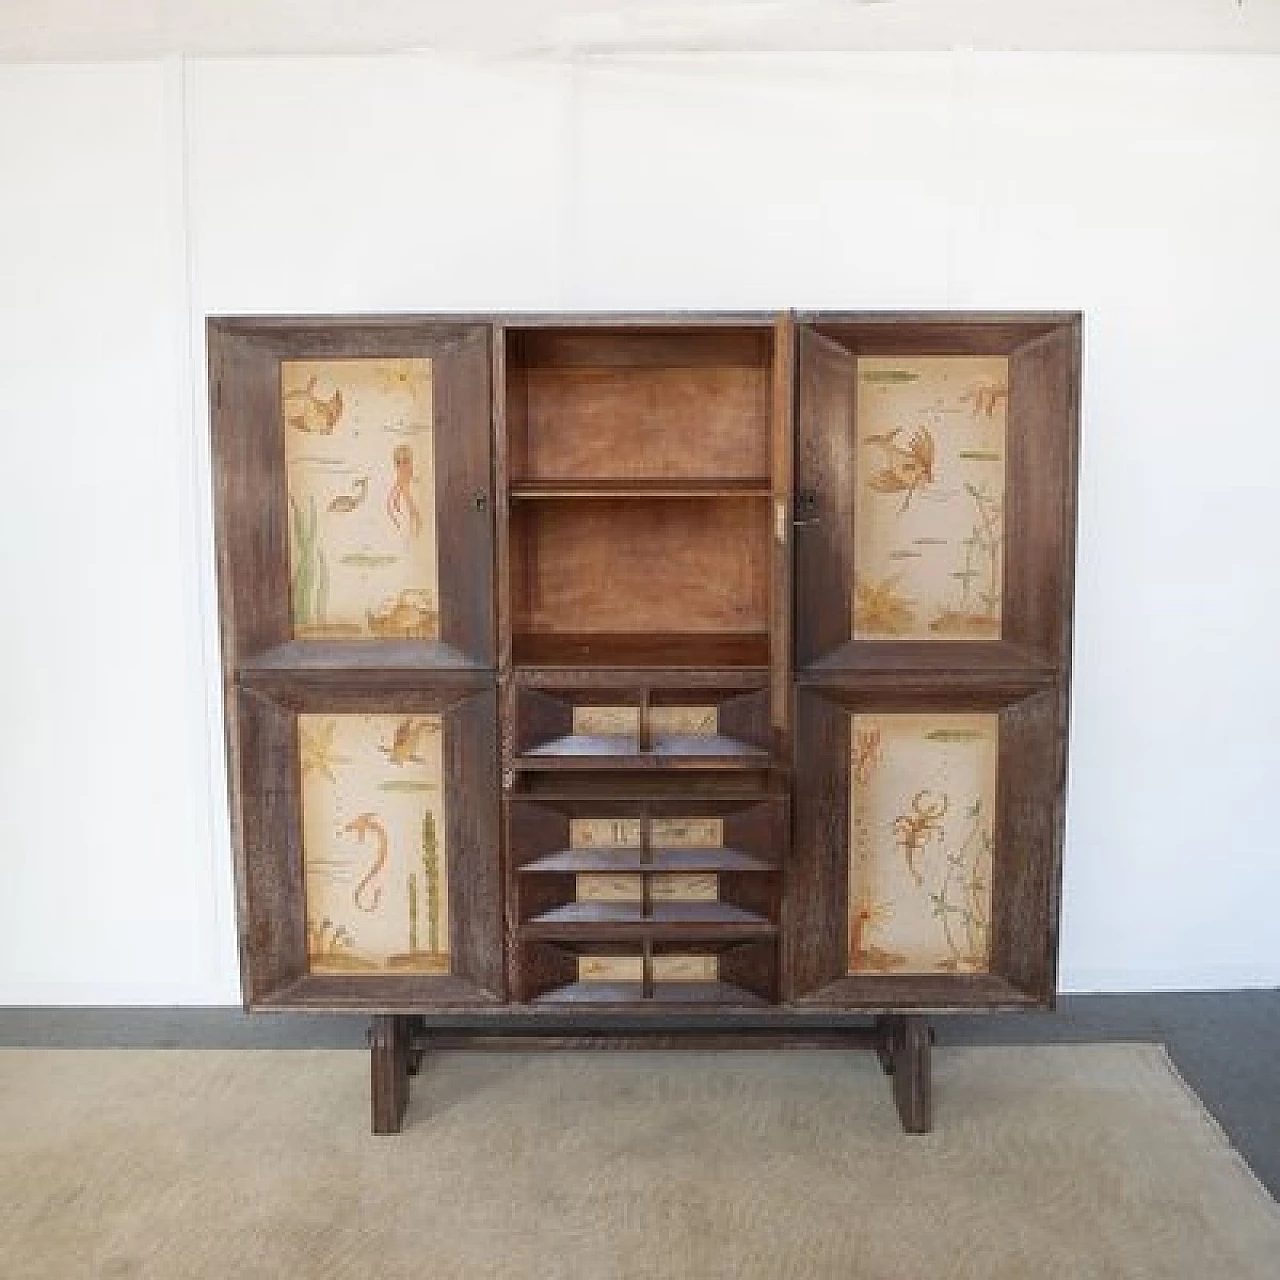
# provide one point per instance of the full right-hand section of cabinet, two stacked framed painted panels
(936, 478)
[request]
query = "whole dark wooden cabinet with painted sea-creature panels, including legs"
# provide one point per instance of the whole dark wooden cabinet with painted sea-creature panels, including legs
(647, 680)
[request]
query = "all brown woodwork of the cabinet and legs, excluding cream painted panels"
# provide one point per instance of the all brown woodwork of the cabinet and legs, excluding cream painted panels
(647, 510)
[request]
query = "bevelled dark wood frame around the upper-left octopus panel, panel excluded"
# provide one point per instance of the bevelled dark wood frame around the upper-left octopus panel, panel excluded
(252, 491)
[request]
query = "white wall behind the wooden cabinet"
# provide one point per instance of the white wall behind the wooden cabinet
(134, 200)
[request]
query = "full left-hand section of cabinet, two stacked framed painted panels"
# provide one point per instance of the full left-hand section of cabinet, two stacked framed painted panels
(355, 537)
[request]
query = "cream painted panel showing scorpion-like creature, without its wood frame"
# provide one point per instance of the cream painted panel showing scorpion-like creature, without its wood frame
(924, 798)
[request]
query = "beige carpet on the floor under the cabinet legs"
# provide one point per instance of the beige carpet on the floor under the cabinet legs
(1084, 1162)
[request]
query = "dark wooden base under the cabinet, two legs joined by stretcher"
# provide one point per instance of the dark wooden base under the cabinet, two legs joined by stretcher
(902, 1043)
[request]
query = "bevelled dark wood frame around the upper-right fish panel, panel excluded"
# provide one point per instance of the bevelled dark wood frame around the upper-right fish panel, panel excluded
(1040, 500)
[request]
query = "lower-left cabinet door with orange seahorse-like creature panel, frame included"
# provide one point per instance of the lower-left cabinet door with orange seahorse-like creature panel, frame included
(369, 844)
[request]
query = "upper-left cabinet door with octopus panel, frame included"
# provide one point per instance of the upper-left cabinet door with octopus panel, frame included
(353, 472)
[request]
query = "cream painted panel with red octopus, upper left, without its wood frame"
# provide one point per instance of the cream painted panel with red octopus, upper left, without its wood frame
(359, 445)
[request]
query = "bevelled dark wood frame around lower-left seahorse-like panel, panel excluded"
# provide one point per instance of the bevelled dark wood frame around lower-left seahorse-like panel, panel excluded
(267, 787)
